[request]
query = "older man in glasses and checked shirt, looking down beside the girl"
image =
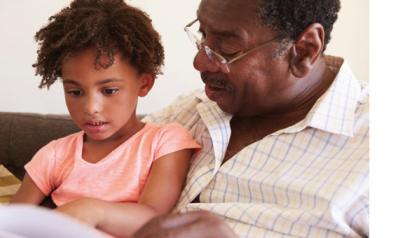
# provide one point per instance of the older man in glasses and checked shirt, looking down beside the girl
(284, 128)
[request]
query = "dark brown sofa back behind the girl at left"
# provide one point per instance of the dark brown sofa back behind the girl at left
(22, 134)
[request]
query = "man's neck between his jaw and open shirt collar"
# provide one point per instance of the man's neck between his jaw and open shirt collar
(248, 129)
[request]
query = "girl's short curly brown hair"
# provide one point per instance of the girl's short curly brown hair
(108, 26)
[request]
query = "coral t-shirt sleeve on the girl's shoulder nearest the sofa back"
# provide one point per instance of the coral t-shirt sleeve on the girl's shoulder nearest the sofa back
(41, 168)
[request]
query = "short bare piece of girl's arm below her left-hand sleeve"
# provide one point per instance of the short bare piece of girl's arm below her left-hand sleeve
(28, 192)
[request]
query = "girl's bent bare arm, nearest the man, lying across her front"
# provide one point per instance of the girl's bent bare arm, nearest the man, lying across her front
(159, 196)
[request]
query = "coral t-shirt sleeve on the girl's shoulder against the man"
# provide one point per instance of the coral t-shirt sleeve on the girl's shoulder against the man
(173, 137)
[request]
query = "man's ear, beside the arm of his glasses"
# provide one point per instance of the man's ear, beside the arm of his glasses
(306, 50)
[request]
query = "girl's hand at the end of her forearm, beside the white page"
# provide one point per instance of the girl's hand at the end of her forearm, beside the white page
(85, 210)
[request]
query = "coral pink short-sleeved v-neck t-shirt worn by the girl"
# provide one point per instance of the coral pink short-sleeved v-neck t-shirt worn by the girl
(59, 169)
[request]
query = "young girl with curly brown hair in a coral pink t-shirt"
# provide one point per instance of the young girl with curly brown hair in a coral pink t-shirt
(117, 172)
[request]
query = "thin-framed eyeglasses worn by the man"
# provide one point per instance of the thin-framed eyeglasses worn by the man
(209, 52)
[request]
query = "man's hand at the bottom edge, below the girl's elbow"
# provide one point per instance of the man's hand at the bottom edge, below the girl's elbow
(198, 224)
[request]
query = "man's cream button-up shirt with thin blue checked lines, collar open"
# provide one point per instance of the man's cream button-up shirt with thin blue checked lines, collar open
(307, 180)
